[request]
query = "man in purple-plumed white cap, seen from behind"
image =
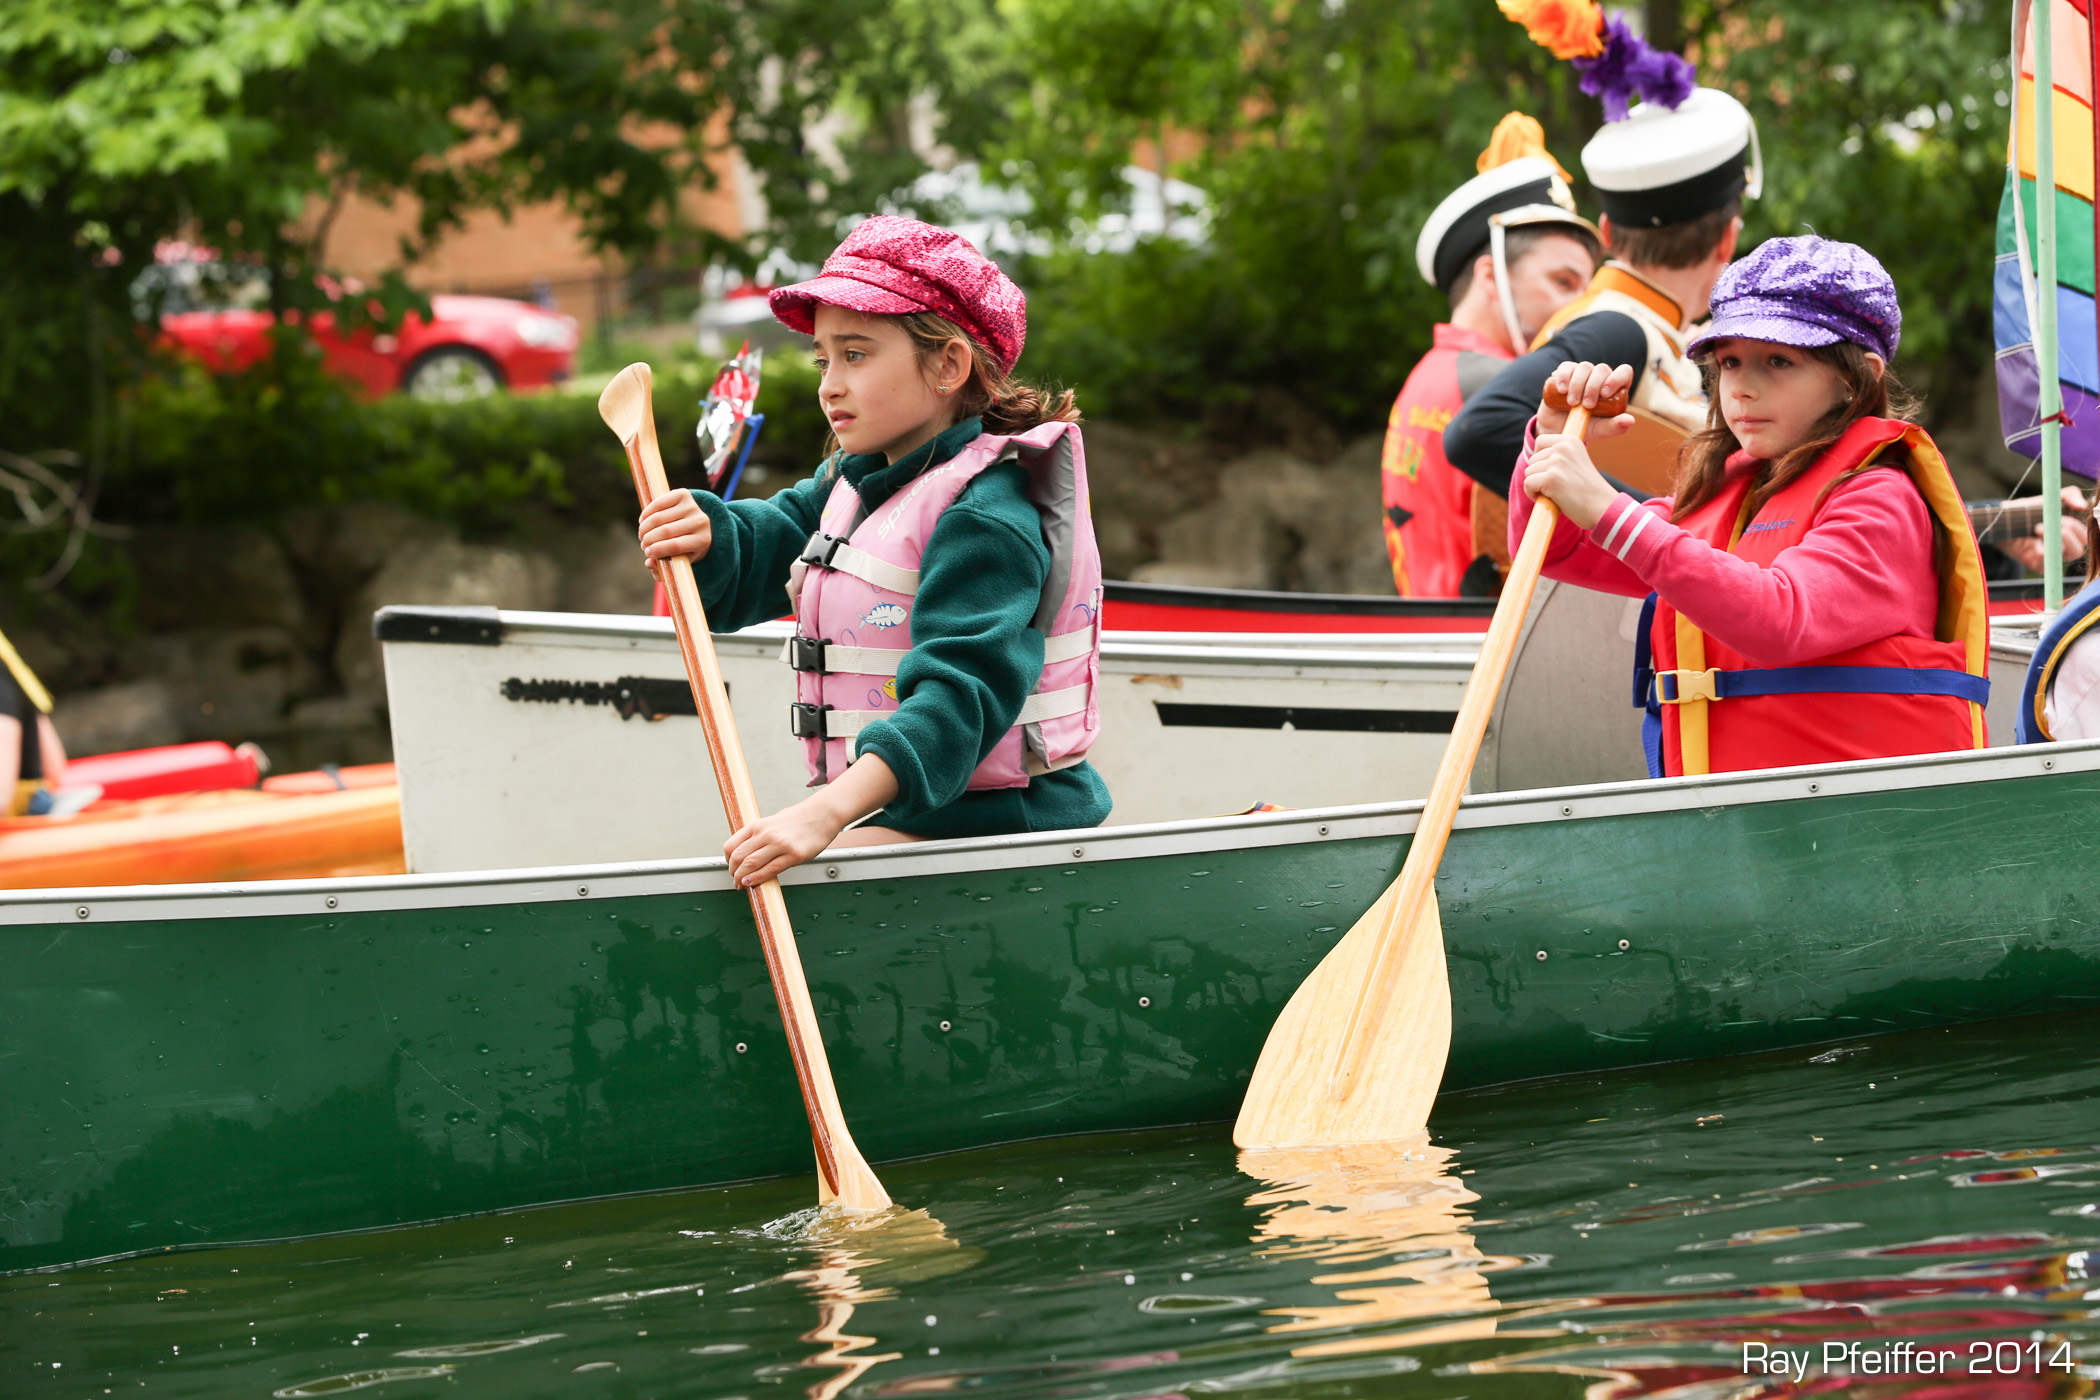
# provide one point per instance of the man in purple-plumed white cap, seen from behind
(1673, 188)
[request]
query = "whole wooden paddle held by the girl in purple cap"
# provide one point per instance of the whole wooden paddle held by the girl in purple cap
(1362, 1046)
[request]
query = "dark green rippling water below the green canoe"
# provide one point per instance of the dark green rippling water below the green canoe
(1626, 1233)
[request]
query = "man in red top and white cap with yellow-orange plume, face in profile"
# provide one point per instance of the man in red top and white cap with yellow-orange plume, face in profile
(1509, 251)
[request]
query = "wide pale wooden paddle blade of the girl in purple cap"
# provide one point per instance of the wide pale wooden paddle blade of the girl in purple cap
(1295, 1099)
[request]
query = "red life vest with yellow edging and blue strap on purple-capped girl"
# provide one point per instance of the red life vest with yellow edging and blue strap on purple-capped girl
(1723, 713)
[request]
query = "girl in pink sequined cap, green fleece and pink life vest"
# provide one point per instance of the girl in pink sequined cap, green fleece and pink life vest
(940, 566)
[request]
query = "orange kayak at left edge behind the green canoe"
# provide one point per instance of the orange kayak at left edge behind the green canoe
(297, 826)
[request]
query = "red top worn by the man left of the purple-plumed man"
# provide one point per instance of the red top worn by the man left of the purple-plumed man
(1429, 503)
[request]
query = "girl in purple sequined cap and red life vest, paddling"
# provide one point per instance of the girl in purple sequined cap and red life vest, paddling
(1815, 591)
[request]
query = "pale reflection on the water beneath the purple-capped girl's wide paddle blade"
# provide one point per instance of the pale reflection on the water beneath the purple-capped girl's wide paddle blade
(1393, 1206)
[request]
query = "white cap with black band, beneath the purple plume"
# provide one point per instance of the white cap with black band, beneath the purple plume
(1662, 167)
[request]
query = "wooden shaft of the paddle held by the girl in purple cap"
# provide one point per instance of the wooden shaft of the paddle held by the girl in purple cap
(1433, 830)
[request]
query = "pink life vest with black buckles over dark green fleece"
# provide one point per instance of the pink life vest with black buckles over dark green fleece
(854, 593)
